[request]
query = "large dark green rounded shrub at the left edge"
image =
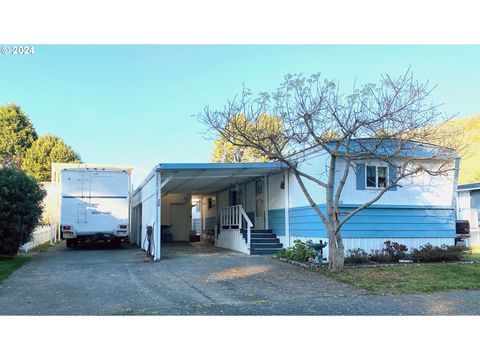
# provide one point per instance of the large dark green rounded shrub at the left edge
(20, 209)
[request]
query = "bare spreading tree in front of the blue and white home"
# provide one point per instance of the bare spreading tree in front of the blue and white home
(394, 119)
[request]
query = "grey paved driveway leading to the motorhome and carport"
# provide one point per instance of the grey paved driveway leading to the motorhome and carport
(196, 279)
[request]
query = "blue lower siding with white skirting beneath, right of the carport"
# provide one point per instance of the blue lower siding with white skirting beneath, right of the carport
(369, 229)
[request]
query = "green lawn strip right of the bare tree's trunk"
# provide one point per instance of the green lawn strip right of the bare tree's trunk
(415, 278)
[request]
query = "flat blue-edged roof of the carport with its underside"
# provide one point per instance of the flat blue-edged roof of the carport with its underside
(208, 178)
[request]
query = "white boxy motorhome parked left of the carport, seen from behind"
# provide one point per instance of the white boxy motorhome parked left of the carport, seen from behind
(92, 202)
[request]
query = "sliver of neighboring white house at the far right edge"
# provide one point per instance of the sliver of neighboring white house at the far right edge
(468, 208)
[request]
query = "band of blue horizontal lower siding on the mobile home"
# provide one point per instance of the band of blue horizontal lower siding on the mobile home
(374, 222)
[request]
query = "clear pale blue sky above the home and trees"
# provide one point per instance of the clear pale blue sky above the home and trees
(133, 105)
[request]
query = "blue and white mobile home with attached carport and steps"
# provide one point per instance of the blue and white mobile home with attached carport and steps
(256, 208)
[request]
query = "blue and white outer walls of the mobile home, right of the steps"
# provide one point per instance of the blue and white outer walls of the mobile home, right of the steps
(419, 211)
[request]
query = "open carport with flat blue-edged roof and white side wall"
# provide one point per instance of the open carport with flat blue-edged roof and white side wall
(174, 185)
